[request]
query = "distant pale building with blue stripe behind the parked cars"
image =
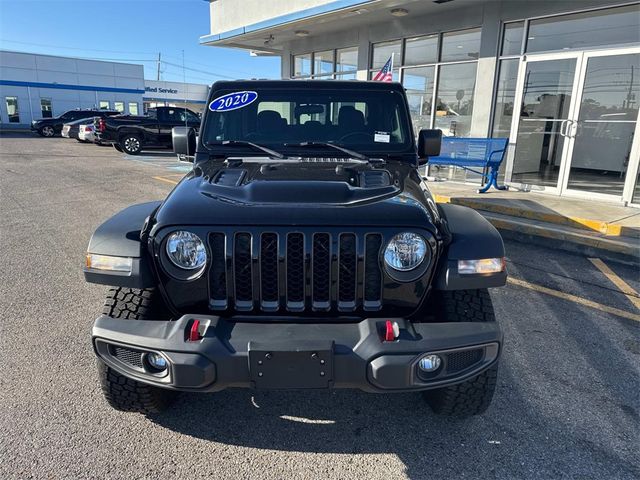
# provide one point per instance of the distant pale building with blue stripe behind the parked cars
(38, 86)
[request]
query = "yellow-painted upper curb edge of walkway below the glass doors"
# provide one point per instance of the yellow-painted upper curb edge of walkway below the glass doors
(609, 229)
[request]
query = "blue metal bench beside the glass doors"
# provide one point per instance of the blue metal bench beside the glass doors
(485, 153)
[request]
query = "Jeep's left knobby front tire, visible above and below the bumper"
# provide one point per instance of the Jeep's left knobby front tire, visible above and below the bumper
(120, 392)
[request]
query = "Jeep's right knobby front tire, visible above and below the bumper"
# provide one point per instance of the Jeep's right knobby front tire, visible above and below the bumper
(473, 396)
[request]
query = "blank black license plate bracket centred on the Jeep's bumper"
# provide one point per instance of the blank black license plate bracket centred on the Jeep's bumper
(308, 365)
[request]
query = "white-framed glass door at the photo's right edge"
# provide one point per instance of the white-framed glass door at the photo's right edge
(603, 128)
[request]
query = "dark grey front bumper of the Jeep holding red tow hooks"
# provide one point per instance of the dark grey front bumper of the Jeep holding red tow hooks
(302, 355)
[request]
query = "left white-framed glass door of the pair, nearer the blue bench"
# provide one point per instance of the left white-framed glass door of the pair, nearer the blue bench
(547, 87)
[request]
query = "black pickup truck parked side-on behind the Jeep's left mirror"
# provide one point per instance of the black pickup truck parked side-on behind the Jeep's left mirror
(132, 133)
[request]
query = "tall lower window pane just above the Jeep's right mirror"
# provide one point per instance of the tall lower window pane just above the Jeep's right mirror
(419, 84)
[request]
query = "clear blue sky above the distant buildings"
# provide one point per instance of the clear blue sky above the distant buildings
(132, 31)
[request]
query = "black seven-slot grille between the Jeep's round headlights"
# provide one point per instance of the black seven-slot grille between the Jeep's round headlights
(284, 271)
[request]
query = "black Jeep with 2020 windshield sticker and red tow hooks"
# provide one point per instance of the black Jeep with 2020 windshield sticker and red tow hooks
(302, 251)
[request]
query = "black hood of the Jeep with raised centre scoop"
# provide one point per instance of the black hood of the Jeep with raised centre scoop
(310, 192)
